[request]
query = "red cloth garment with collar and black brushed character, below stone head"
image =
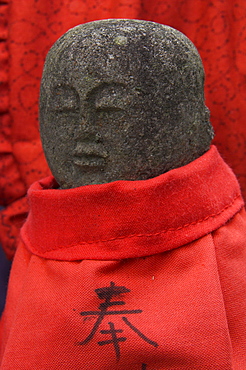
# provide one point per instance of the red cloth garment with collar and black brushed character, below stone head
(142, 275)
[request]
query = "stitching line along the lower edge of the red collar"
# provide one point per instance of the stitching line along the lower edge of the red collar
(148, 235)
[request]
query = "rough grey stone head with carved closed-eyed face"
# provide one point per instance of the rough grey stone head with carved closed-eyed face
(122, 100)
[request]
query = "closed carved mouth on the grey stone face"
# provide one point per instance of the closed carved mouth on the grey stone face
(90, 155)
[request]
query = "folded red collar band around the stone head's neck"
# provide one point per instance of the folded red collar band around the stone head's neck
(125, 219)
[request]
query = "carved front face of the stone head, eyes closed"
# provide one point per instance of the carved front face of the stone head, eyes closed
(93, 123)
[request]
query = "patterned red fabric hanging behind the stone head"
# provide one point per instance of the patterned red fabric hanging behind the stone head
(29, 28)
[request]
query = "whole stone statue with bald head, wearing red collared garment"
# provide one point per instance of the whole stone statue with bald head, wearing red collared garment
(137, 275)
